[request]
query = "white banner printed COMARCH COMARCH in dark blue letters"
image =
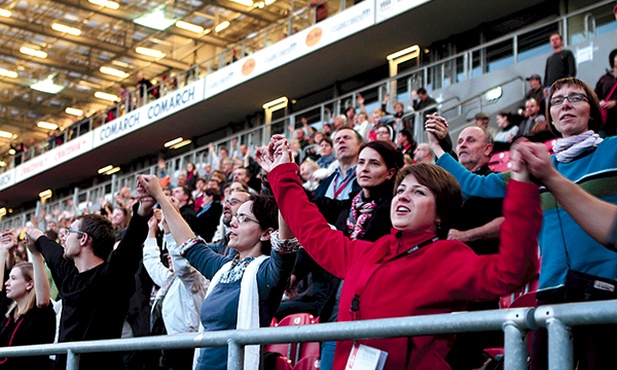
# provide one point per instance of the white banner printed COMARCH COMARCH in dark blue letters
(150, 113)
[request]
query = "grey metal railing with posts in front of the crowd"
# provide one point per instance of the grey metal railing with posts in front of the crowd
(558, 319)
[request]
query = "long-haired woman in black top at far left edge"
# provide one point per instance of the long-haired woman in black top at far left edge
(30, 318)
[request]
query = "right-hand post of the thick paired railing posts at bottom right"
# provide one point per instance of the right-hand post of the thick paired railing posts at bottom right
(560, 349)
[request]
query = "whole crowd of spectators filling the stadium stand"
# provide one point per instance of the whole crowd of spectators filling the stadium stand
(351, 221)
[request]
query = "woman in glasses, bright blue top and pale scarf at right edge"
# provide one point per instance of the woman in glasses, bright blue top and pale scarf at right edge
(583, 157)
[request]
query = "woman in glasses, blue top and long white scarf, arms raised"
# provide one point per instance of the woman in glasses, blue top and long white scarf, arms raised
(246, 290)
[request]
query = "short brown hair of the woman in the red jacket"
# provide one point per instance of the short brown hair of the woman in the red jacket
(445, 189)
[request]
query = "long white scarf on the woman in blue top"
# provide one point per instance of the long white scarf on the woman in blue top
(248, 305)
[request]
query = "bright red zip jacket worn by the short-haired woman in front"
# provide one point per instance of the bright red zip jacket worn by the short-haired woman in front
(438, 278)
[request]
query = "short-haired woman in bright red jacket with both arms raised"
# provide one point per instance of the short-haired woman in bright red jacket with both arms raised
(410, 271)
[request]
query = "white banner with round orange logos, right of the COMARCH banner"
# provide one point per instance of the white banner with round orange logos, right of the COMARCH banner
(326, 32)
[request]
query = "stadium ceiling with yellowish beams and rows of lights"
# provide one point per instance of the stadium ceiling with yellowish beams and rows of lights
(68, 41)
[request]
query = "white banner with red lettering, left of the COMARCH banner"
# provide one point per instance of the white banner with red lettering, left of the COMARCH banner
(55, 157)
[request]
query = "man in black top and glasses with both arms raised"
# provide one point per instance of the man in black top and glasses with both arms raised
(95, 282)
